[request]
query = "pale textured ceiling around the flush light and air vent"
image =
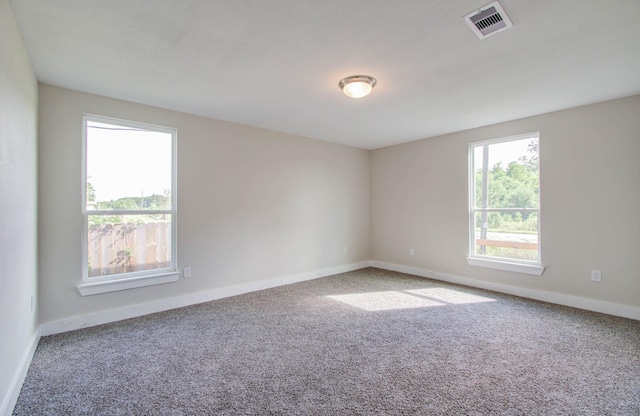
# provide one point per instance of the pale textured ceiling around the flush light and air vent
(276, 64)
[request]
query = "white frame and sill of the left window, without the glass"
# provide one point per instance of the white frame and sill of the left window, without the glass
(103, 284)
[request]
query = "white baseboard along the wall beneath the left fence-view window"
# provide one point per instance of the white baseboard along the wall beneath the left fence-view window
(113, 315)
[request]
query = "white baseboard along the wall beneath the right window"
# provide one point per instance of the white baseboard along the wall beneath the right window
(551, 297)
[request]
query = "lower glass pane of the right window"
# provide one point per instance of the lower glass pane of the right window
(512, 235)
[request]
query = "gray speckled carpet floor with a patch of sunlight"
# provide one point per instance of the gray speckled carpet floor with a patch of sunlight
(365, 342)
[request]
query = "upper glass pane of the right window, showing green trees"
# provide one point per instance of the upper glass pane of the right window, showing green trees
(507, 174)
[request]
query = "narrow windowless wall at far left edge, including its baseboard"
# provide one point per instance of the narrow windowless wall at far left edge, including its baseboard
(18, 241)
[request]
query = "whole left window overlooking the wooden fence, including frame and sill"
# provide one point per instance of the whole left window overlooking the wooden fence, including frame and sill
(129, 207)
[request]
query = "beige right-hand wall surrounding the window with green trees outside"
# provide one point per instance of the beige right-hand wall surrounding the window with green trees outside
(590, 196)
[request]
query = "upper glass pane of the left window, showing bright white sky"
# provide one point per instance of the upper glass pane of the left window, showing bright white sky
(127, 168)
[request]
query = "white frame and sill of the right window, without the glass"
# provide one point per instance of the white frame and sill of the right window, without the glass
(500, 263)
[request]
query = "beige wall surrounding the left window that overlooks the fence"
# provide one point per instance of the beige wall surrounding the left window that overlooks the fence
(252, 204)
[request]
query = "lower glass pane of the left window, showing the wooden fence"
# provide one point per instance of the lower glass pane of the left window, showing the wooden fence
(128, 243)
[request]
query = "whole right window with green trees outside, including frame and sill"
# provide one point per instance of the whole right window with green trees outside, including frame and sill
(504, 201)
